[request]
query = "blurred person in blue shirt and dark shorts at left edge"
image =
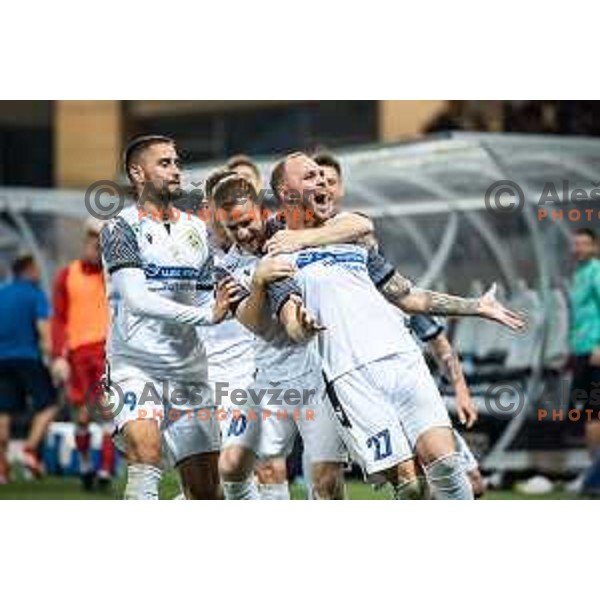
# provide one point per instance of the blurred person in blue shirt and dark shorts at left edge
(24, 346)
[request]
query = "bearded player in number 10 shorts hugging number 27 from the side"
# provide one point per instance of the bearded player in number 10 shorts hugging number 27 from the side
(292, 367)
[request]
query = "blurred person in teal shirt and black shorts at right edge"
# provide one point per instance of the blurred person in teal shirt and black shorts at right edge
(584, 339)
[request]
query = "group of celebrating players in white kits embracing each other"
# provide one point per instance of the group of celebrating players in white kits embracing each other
(303, 304)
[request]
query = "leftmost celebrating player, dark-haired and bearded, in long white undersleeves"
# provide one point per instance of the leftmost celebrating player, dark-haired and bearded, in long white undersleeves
(159, 282)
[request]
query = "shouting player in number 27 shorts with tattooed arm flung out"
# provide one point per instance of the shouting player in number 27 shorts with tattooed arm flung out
(367, 351)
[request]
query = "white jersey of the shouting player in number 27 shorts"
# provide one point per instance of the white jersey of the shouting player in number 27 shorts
(361, 326)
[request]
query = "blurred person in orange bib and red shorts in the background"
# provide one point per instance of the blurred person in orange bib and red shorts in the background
(79, 331)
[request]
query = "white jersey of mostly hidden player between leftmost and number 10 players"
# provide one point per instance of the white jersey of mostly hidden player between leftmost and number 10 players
(229, 345)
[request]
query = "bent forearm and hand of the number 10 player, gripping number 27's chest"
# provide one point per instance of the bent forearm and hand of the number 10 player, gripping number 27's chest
(254, 311)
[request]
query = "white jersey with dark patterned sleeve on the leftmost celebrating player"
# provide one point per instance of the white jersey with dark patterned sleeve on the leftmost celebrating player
(177, 265)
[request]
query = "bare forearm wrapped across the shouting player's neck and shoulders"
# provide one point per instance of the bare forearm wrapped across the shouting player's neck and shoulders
(343, 228)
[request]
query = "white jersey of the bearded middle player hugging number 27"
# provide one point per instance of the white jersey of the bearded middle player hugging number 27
(277, 357)
